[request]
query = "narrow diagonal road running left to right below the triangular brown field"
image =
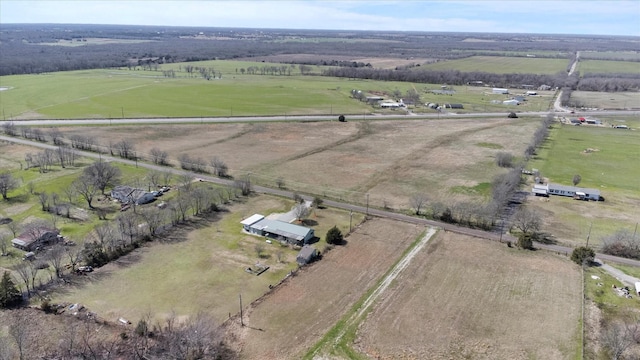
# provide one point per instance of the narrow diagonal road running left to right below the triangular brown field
(340, 205)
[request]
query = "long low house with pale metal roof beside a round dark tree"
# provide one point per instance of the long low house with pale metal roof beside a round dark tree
(295, 234)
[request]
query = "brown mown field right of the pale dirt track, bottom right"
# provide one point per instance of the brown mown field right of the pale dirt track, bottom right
(467, 298)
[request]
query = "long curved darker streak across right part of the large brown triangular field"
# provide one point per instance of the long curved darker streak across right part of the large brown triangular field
(392, 171)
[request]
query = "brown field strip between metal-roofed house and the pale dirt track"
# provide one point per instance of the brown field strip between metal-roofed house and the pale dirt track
(289, 320)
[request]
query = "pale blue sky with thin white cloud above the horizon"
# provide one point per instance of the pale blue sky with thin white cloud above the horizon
(584, 17)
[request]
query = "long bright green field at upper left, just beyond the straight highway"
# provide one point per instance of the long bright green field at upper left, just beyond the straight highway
(121, 93)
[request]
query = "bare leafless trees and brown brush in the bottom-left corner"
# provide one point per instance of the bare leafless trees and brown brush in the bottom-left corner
(86, 337)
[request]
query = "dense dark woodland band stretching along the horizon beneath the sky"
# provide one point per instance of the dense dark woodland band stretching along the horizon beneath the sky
(23, 52)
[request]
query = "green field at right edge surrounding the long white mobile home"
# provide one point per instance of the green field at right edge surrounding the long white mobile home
(610, 166)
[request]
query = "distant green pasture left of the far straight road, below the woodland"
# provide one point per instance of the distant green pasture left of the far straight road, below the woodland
(501, 65)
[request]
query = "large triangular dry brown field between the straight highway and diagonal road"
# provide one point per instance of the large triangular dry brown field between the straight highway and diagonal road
(389, 160)
